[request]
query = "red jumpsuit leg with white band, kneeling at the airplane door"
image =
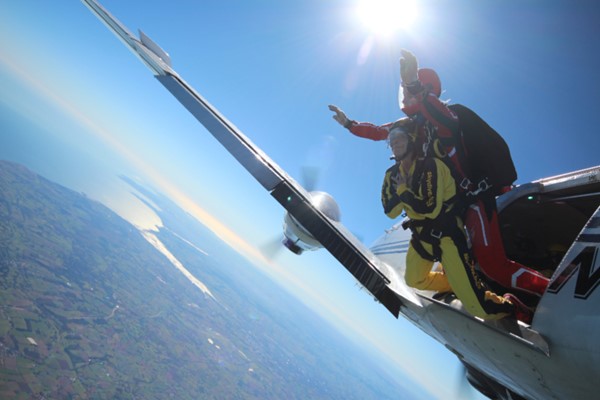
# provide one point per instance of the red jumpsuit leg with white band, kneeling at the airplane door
(489, 252)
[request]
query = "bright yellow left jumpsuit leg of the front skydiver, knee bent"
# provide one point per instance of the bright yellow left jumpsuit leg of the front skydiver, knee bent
(419, 275)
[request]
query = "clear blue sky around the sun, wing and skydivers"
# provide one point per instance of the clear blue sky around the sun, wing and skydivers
(528, 67)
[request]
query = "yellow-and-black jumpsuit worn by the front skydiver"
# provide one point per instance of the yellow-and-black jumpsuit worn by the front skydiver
(424, 200)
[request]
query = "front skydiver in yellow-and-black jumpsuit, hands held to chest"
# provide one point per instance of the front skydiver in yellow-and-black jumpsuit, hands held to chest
(425, 190)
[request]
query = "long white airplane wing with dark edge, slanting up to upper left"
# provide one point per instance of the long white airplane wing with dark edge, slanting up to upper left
(381, 280)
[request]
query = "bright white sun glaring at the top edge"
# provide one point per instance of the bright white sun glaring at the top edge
(384, 17)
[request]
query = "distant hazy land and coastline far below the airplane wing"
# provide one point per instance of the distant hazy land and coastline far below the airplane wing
(90, 310)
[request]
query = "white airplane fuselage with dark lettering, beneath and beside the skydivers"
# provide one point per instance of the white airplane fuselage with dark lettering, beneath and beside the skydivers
(557, 357)
